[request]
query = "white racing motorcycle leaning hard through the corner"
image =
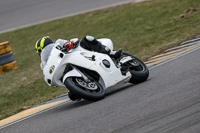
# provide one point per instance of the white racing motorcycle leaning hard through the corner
(88, 74)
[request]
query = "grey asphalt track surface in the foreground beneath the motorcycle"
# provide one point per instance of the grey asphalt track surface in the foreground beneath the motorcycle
(168, 102)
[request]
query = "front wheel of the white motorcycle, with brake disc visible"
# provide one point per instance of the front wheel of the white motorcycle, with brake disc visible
(90, 90)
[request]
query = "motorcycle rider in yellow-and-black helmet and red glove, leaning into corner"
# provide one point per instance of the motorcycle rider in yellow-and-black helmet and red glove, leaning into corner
(45, 44)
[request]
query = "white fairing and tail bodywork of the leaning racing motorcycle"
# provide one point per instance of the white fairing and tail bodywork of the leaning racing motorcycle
(55, 71)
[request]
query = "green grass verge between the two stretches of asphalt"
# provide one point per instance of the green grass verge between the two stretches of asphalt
(142, 29)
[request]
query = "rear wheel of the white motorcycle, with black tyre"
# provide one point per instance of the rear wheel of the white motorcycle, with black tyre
(138, 70)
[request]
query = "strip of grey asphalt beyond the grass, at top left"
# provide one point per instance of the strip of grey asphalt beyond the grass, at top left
(21, 13)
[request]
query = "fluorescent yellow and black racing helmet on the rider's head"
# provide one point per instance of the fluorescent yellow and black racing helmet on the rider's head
(41, 43)
